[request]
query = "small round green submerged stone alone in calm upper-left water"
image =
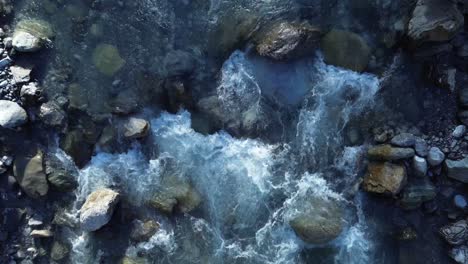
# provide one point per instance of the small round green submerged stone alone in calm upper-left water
(107, 59)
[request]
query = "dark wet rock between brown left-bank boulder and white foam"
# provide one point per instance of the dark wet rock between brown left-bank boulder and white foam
(60, 175)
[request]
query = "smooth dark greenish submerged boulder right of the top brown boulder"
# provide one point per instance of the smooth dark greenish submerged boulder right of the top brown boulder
(346, 49)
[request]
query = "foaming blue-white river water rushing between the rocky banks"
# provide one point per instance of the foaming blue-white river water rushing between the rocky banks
(250, 188)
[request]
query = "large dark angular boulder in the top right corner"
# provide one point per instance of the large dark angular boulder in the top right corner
(435, 20)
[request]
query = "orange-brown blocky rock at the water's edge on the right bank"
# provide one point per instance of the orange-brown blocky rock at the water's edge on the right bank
(384, 178)
